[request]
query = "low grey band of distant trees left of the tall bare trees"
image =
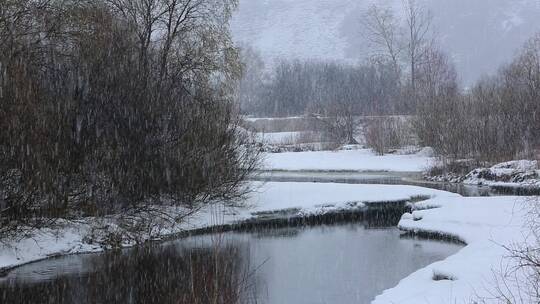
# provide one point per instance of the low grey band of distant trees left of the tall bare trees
(300, 87)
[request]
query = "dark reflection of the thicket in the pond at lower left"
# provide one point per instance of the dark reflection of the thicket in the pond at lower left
(150, 274)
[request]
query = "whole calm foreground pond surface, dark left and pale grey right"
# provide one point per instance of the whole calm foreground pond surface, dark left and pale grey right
(342, 263)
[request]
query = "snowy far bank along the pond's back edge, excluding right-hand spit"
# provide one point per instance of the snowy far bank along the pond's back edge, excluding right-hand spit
(294, 199)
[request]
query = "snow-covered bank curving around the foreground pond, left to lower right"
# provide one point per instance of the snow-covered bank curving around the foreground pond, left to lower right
(485, 224)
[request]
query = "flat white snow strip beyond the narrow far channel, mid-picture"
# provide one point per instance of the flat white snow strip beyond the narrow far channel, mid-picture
(346, 160)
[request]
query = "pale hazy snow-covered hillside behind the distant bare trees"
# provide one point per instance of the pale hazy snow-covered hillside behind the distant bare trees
(480, 34)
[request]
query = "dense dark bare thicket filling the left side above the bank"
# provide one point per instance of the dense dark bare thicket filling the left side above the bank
(112, 104)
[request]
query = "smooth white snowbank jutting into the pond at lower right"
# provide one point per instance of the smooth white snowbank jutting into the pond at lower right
(485, 224)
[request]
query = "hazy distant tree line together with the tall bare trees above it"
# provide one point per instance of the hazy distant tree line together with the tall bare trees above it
(384, 83)
